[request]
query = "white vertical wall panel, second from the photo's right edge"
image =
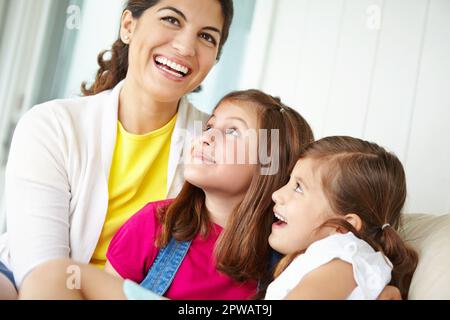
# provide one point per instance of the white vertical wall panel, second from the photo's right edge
(394, 83)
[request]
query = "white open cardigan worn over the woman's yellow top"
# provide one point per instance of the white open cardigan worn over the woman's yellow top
(57, 178)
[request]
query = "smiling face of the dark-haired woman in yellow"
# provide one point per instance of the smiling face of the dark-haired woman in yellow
(173, 46)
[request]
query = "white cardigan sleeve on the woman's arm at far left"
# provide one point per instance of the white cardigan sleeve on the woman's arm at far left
(37, 193)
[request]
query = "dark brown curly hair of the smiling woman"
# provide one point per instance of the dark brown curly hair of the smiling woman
(114, 69)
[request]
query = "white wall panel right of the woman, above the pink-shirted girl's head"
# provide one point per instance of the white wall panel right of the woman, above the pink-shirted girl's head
(303, 46)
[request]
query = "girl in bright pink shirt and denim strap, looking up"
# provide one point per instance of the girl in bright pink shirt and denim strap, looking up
(222, 216)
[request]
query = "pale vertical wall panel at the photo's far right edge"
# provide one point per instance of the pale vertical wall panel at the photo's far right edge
(428, 153)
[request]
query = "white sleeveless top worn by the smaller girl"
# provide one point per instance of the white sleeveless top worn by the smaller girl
(371, 270)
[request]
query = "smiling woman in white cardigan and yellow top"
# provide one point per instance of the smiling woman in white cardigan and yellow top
(78, 169)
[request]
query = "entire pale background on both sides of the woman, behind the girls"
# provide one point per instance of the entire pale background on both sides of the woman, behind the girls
(375, 69)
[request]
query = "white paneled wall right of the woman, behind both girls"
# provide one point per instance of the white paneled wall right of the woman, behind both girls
(374, 69)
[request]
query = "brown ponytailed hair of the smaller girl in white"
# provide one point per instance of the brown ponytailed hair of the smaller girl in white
(363, 178)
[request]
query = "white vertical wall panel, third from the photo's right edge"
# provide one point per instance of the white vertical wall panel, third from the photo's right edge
(357, 52)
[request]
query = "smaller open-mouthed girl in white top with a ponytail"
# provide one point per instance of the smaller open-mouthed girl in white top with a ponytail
(337, 221)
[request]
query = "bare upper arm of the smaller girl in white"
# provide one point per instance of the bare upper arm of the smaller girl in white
(332, 281)
